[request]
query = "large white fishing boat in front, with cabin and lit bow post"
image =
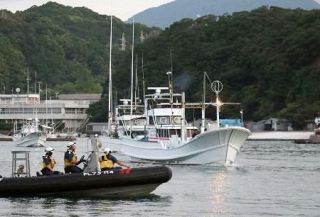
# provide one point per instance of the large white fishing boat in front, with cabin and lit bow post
(170, 139)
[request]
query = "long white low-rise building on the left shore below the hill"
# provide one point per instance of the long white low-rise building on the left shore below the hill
(68, 108)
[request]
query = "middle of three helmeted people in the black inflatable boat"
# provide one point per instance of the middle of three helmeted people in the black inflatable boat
(71, 160)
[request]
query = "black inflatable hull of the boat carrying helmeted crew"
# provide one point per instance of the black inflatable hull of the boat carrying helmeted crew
(111, 183)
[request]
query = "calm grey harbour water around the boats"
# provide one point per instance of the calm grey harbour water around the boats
(270, 179)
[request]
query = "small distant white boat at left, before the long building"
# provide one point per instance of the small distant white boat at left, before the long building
(30, 135)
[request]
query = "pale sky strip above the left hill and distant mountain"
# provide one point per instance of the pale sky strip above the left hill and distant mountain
(122, 9)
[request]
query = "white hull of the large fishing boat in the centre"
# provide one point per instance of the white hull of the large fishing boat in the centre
(216, 146)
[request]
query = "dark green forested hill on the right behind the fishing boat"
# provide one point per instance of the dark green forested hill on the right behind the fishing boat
(268, 59)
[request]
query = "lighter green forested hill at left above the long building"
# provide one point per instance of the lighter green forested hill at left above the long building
(63, 47)
